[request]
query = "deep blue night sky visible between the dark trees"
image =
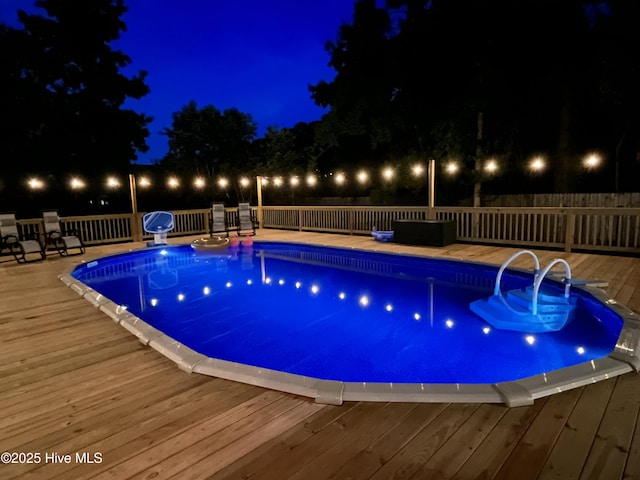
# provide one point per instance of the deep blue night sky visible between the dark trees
(258, 56)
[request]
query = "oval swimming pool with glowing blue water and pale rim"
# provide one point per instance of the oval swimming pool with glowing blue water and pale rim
(343, 324)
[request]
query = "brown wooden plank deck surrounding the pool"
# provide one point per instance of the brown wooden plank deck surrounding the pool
(73, 382)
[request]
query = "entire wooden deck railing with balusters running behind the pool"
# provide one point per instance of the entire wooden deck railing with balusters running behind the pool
(591, 229)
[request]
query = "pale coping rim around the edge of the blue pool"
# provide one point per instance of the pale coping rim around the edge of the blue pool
(624, 359)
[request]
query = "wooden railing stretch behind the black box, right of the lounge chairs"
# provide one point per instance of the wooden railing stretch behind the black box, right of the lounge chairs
(612, 229)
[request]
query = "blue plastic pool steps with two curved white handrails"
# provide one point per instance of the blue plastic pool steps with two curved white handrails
(530, 309)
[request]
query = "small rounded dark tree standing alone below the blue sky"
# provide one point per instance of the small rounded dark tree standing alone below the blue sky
(208, 142)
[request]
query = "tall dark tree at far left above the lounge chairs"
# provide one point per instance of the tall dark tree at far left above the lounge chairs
(64, 92)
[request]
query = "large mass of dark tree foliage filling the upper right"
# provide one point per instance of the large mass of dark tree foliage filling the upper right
(471, 79)
